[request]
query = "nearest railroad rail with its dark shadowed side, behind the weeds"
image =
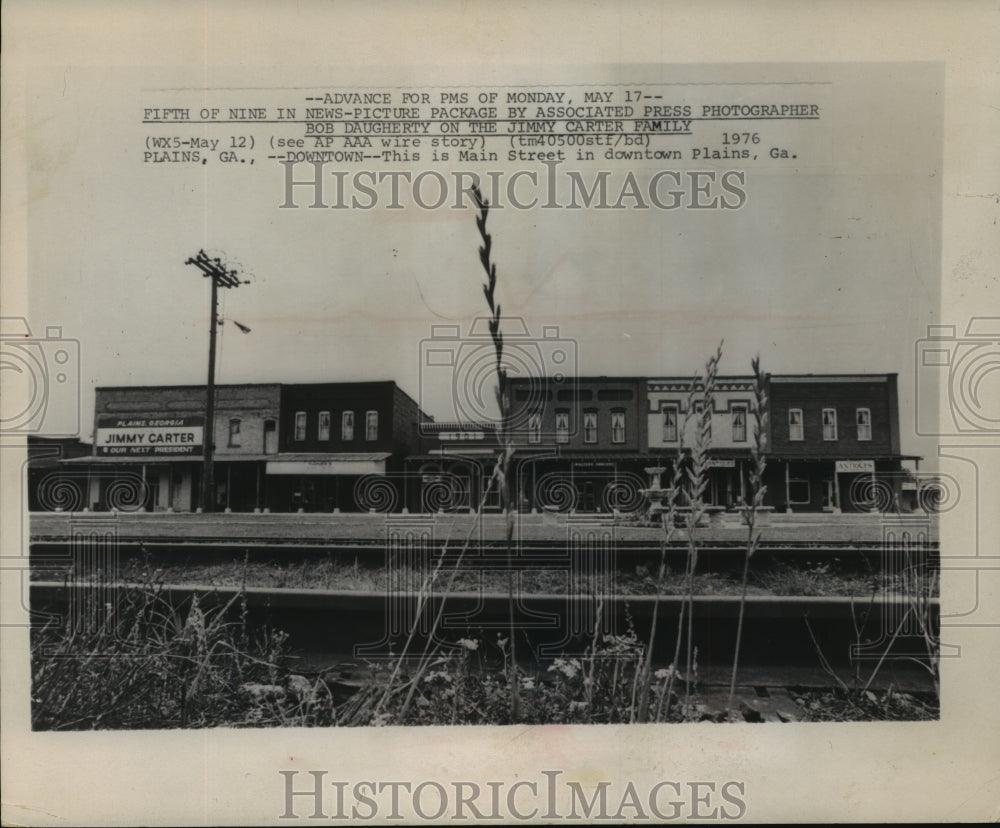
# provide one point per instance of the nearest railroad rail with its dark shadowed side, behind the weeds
(783, 636)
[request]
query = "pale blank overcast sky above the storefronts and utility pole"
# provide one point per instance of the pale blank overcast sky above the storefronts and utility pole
(831, 266)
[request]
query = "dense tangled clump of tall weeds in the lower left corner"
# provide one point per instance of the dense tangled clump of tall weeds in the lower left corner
(148, 664)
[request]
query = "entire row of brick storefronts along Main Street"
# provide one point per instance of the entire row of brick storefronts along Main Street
(581, 444)
